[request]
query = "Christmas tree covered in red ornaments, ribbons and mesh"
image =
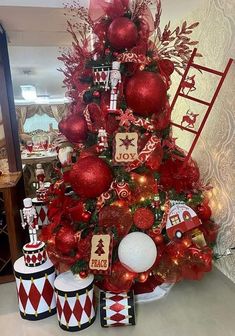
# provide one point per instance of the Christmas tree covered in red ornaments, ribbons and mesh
(129, 179)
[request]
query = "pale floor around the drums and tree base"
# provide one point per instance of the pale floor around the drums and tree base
(191, 308)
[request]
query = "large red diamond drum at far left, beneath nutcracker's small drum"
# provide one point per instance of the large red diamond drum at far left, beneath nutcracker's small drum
(35, 289)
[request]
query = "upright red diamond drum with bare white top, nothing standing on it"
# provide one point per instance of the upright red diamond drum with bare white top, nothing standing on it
(74, 301)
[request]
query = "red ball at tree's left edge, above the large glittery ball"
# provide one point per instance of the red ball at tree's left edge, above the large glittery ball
(74, 127)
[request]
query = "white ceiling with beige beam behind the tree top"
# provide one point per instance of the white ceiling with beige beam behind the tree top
(36, 31)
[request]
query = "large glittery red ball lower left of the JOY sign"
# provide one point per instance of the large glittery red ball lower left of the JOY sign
(90, 177)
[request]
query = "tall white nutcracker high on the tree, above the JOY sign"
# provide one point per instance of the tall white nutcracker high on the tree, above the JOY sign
(114, 81)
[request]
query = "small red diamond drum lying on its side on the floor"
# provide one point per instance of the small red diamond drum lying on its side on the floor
(117, 309)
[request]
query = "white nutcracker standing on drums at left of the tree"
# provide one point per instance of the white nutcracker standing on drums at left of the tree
(29, 217)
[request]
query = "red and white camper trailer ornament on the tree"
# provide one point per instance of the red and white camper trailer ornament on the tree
(181, 219)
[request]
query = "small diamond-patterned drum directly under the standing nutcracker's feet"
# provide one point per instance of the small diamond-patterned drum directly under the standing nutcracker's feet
(34, 256)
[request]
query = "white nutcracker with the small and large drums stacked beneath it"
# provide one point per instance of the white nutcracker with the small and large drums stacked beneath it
(34, 272)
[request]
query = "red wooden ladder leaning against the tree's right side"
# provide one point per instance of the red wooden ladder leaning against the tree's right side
(210, 104)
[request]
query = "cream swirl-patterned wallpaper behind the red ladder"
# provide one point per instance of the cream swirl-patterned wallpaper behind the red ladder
(215, 151)
